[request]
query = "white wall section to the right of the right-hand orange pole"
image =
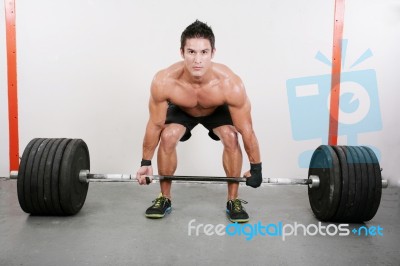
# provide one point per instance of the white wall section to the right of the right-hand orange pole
(375, 25)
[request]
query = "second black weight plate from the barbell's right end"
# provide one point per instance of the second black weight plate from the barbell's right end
(364, 184)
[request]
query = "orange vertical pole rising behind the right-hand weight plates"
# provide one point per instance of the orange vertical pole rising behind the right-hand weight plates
(336, 69)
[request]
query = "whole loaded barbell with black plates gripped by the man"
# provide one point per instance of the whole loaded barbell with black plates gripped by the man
(344, 182)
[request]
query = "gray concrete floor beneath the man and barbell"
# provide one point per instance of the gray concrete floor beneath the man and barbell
(112, 230)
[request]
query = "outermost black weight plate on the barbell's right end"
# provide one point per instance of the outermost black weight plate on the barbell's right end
(378, 184)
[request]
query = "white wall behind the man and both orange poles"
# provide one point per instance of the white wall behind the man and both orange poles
(85, 67)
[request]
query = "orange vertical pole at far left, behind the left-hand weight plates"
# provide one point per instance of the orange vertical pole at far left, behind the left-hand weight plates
(12, 83)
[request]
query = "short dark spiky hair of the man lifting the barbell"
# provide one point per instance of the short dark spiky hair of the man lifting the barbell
(198, 29)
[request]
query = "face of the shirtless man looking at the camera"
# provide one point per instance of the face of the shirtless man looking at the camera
(197, 55)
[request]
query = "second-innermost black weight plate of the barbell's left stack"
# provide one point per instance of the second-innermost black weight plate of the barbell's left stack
(55, 173)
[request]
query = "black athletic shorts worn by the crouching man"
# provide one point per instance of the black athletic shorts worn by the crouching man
(219, 117)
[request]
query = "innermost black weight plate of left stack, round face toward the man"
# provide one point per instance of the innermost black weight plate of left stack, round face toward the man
(72, 191)
